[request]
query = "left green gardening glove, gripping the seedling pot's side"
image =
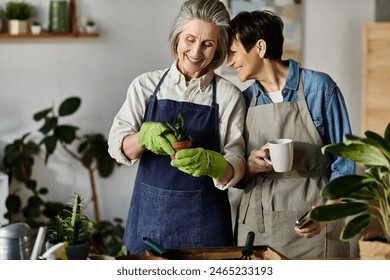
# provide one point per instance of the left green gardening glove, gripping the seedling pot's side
(153, 136)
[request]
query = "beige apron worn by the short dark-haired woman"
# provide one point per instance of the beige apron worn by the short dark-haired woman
(272, 202)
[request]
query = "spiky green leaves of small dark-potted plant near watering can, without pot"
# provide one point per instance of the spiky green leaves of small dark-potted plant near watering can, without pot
(71, 226)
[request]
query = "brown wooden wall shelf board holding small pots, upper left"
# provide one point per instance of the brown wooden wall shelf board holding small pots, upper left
(6, 36)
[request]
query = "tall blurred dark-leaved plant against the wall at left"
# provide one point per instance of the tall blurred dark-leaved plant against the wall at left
(91, 150)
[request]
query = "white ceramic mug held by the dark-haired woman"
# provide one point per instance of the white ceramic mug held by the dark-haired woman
(281, 154)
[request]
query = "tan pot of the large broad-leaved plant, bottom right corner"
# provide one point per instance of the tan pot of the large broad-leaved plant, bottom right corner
(372, 248)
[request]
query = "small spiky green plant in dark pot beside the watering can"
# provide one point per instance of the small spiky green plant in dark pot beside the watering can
(72, 228)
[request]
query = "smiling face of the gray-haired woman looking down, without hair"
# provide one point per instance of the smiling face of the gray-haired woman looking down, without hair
(196, 47)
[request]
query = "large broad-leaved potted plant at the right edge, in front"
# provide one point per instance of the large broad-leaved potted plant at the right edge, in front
(365, 197)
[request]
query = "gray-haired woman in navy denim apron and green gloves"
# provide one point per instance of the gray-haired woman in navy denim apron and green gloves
(183, 202)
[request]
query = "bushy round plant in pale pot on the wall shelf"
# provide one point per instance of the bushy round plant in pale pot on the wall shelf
(17, 14)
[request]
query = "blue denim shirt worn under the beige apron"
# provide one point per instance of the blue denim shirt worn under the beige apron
(326, 105)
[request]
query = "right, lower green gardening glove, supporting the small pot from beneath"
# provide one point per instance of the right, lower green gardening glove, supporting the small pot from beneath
(198, 162)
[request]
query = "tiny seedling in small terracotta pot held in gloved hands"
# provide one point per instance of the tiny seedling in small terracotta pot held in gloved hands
(183, 139)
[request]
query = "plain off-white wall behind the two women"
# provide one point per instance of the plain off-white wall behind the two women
(35, 74)
